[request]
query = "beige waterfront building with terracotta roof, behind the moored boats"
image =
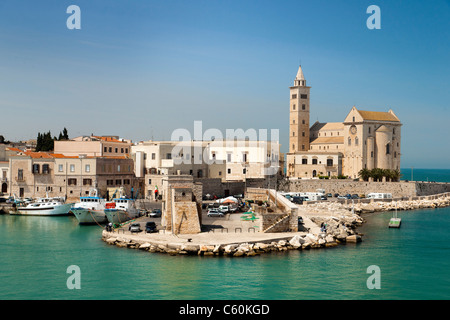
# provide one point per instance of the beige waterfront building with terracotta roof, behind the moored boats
(36, 174)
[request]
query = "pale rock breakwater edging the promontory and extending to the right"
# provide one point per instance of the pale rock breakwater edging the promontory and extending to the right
(326, 224)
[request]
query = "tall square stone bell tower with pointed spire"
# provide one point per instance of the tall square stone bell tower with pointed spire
(299, 114)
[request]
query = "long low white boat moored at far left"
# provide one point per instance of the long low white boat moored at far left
(44, 207)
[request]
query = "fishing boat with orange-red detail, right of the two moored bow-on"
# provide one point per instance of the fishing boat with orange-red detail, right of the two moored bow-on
(121, 209)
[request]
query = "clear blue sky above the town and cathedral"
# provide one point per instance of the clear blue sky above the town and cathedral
(142, 69)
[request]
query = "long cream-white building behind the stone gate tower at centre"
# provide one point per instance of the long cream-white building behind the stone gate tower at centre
(227, 160)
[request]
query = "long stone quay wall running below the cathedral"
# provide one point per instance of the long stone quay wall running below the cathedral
(398, 189)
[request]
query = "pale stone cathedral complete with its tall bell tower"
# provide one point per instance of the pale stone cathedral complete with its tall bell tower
(365, 140)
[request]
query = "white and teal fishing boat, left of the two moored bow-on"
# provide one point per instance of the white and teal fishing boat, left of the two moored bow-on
(90, 209)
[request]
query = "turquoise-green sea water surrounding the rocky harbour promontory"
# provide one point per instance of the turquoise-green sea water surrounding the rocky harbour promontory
(38, 256)
